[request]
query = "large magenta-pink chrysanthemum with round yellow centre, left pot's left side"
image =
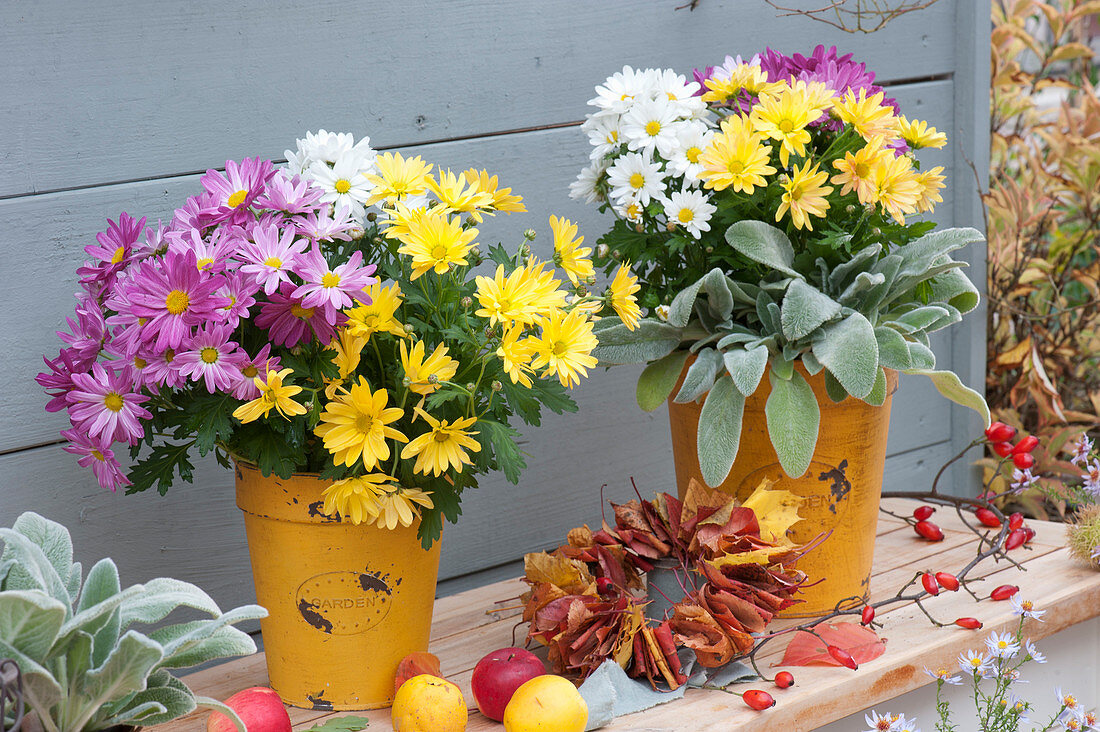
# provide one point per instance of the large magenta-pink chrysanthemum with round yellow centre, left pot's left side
(173, 296)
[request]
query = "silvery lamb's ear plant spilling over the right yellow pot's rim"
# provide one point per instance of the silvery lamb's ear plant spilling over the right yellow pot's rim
(852, 320)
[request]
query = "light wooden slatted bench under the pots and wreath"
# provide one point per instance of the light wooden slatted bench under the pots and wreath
(470, 625)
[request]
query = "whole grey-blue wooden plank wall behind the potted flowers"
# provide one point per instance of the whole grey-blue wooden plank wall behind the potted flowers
(120, 105)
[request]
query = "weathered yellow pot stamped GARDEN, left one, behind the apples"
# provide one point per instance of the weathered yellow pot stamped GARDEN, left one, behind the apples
(346, 604)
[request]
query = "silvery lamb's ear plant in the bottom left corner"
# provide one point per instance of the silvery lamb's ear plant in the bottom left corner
(95, 655)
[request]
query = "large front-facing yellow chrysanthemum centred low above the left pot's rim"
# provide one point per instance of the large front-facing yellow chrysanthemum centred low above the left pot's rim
(356, 424)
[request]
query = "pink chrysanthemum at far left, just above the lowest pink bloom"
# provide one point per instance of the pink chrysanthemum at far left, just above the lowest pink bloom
(105, 406)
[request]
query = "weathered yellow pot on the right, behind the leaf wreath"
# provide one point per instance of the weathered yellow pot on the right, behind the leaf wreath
(842, 488)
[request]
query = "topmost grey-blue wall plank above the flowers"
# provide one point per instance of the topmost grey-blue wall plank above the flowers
(119, 91)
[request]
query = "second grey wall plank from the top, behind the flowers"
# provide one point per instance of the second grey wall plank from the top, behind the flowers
(47, 236)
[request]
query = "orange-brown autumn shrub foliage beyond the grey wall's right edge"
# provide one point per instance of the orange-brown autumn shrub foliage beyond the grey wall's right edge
(1043, 222)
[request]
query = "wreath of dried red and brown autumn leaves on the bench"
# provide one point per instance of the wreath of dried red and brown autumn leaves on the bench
(587, 599)
